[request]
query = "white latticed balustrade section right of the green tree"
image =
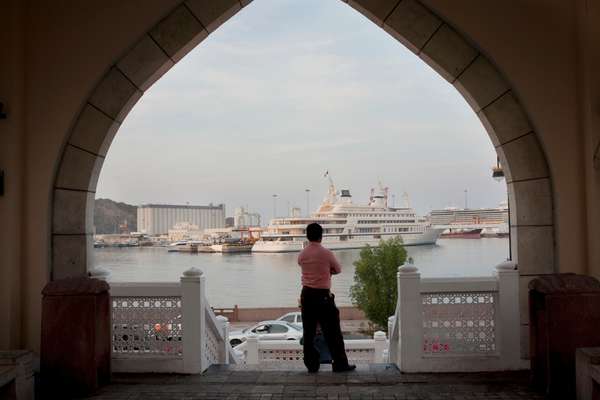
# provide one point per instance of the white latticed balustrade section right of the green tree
(456, 324)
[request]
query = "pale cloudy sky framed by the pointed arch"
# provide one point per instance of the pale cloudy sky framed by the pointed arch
(286, 90)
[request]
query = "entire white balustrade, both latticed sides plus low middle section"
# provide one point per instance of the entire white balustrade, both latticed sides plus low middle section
(440, 324)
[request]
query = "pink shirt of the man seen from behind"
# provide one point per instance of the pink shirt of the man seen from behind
(318, 264)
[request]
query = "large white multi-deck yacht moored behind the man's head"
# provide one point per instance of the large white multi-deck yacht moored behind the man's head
(349, 226)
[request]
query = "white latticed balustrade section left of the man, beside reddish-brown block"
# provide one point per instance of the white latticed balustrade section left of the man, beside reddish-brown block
(166, 326)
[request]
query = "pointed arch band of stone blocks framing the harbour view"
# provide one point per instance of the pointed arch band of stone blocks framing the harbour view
(410, 22)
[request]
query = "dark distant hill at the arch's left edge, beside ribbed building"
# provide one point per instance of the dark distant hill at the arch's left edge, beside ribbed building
(108, 215)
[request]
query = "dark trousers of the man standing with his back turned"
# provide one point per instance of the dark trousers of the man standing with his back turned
(318, 306)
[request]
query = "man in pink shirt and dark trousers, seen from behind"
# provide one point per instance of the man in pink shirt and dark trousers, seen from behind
(318, 305)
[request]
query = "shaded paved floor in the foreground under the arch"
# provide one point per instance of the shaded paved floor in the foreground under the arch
(378, 381)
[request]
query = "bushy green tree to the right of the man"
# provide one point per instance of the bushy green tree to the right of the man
(375, 289)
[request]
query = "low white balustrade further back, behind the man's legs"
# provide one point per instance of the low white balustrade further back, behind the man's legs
(360, 351)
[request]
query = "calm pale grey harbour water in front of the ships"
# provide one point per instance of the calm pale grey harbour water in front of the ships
(272, 280)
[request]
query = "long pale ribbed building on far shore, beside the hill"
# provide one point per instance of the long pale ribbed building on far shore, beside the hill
(156, 219)
